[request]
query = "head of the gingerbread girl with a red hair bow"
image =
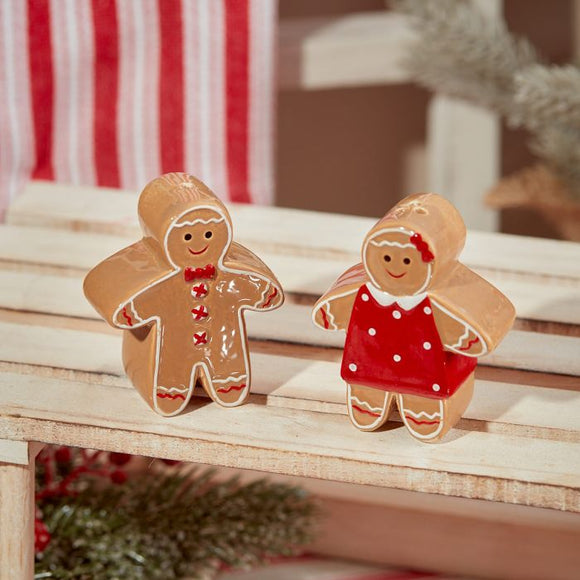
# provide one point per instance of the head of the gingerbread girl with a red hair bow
(413, 244)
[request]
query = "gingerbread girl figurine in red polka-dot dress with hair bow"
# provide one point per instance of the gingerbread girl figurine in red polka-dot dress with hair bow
(416, 320)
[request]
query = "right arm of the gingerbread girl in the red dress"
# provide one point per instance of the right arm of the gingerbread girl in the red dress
(457, 335)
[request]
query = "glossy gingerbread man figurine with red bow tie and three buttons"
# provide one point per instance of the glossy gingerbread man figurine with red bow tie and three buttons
(180, 293)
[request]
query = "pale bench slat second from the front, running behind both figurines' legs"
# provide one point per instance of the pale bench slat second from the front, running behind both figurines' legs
(295, 383)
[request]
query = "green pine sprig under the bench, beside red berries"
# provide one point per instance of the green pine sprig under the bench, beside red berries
(176, 525)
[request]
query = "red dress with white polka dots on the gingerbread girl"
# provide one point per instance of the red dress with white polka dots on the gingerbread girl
(399, 350)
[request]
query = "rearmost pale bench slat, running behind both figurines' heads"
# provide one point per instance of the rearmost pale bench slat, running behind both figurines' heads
(290, 232)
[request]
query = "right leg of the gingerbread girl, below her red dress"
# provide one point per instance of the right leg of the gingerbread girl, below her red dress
(430, 419)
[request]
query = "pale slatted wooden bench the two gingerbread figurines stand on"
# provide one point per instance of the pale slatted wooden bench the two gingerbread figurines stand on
(499, 498)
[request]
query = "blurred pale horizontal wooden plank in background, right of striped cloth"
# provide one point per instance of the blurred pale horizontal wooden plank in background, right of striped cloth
(342, 51)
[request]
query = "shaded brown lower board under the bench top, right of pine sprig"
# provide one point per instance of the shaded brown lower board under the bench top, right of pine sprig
(452, 535)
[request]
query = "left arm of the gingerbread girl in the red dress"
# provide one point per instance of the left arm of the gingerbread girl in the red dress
(333, 309)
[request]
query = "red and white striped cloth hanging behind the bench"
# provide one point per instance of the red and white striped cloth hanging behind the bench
(116, 92)
